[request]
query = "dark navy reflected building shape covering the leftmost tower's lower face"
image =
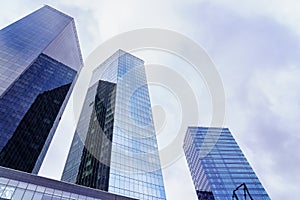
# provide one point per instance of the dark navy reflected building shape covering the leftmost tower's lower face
(21, 109)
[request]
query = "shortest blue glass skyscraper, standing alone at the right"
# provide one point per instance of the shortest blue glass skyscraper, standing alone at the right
(218, 166)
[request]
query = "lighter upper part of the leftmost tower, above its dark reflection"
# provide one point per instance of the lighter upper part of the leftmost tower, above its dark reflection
(45, 31)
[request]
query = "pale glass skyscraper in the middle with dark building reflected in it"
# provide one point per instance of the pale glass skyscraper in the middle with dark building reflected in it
(114, 146)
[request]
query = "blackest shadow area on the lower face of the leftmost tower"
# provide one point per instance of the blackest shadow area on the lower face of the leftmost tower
(24, 147)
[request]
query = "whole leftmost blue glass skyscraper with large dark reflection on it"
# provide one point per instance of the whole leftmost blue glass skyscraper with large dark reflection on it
(39, 61)
